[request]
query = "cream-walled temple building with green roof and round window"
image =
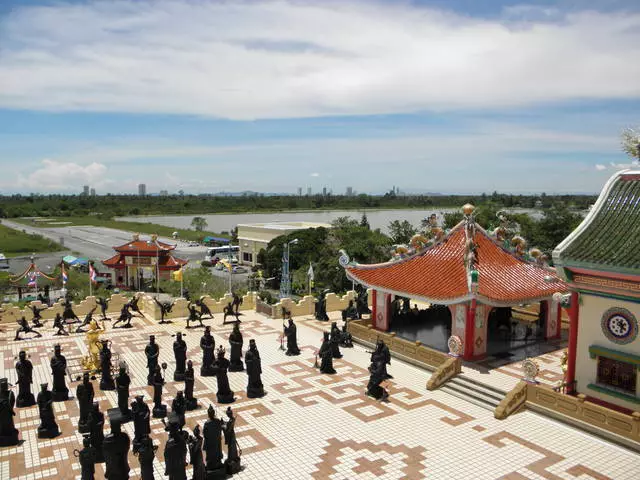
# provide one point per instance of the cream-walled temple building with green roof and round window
(601, 262)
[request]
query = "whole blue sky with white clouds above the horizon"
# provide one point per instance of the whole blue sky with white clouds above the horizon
(450, 96)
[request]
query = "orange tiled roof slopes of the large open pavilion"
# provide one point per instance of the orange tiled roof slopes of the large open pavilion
(438, 274)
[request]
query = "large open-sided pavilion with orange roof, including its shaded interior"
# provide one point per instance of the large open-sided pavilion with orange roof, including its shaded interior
(486, 294)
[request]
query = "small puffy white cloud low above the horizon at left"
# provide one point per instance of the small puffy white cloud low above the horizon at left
(59, 176)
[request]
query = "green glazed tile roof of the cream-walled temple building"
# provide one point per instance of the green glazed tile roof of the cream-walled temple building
(610, 240)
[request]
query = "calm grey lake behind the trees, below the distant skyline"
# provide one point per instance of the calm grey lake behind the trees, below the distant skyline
(227, 221)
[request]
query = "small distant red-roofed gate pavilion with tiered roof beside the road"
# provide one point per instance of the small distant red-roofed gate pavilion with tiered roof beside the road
(143, 259)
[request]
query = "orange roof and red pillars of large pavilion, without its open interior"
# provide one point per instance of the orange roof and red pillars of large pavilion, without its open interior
(469, 271)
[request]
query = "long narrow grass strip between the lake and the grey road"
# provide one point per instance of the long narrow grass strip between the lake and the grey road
(139, 227)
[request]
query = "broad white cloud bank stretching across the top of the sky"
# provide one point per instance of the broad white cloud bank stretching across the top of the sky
(298, 59)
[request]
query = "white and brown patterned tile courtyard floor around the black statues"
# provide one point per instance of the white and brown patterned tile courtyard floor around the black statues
(316, 426)
